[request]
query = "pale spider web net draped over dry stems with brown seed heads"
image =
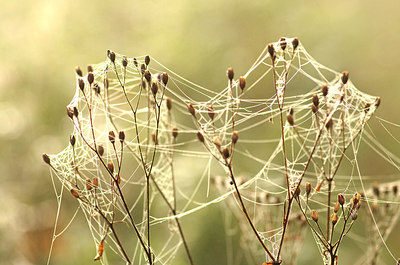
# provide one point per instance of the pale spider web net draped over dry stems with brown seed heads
(287, 122)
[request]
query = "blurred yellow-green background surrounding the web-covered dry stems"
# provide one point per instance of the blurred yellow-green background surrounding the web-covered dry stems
(42, 41)
